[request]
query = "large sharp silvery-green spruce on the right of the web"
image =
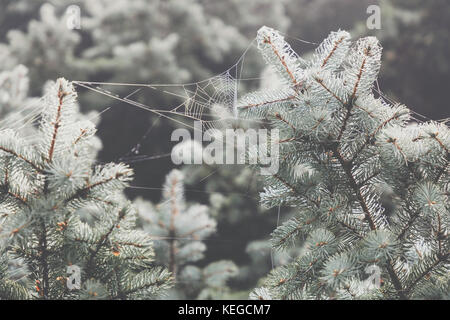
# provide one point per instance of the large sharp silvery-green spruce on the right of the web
(370, 185)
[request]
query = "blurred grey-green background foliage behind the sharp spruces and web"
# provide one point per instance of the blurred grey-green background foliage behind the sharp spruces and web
(173, 41)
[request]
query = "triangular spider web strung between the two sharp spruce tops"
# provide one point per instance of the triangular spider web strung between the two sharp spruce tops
(212, 101)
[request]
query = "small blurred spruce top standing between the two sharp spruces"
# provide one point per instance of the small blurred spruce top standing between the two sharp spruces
(180, 231)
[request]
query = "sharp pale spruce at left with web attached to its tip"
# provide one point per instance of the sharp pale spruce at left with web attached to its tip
(60, 212)
